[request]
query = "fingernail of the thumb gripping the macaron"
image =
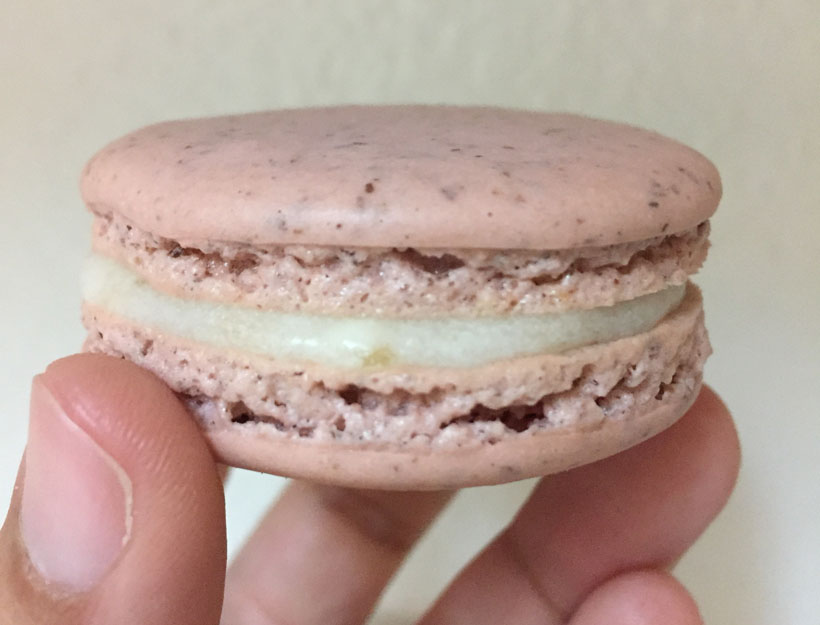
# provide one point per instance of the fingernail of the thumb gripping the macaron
(75, 513)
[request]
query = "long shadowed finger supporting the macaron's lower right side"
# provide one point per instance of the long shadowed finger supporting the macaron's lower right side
(639, 509)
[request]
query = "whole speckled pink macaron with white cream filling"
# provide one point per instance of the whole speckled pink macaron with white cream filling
(405, 297)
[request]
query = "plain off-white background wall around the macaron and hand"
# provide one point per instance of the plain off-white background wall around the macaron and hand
(738, 80)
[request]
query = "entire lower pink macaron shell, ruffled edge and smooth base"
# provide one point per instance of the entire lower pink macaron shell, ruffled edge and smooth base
(435, 428)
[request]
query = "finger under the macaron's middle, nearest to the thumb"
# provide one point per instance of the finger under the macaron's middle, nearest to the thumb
(324, 554)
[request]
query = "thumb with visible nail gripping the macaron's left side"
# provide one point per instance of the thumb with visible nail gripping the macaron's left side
(118, 511)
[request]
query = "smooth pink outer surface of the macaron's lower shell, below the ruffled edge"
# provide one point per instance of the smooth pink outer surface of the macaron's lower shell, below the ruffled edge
(480, 464)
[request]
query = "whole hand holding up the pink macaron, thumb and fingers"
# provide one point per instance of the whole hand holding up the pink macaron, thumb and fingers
(118, 517)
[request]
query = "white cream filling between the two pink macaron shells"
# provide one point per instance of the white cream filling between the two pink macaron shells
(366, 341)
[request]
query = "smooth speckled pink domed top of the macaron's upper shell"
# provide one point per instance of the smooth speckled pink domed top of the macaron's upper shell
(403, 176)
